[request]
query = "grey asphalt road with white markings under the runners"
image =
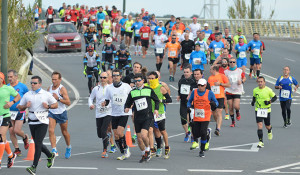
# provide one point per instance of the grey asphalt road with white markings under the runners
(234, 152)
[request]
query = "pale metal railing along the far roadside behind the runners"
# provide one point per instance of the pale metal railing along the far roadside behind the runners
(267, 28)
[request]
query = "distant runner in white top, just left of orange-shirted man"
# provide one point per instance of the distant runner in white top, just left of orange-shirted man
(159, 42)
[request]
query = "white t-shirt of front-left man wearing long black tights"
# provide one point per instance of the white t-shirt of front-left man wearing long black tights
(36, 100)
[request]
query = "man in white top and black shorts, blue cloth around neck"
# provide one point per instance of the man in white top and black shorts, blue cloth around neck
(236, 78)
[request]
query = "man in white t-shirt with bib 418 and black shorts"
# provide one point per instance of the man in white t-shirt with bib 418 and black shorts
(116, 94)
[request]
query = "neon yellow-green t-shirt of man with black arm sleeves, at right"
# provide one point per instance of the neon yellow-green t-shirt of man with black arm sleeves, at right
(262, 95)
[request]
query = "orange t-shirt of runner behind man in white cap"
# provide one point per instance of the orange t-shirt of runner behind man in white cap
(218, 90)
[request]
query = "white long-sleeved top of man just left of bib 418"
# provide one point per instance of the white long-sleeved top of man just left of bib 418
(99, 93)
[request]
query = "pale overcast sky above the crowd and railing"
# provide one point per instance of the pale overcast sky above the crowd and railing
(283, 8)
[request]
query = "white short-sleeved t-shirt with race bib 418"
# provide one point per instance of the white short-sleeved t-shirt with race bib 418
(117, 98)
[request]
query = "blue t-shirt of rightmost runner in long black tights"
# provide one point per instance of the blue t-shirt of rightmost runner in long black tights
(286, 84)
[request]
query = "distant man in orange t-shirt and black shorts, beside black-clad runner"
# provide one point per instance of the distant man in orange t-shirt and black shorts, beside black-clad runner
(173, 53)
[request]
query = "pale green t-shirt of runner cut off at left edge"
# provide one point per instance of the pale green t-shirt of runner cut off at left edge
(5, 93)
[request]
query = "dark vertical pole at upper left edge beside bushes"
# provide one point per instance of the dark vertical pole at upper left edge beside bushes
(4, 25)
